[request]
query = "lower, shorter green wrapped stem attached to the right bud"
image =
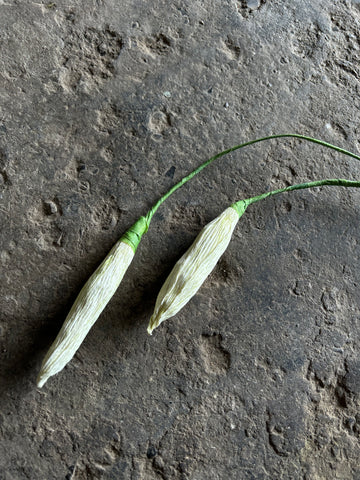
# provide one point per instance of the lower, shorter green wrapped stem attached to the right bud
(339, 182)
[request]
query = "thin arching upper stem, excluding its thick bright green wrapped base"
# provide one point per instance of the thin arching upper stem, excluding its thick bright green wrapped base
(232, 149)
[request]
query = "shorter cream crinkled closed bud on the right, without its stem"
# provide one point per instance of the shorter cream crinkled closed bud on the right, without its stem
(195, 265)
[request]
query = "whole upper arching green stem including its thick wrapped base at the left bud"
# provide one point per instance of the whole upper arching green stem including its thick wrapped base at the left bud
(134, 234)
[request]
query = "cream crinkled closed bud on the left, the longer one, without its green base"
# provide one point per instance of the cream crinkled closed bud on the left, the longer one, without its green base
(89, 304)
